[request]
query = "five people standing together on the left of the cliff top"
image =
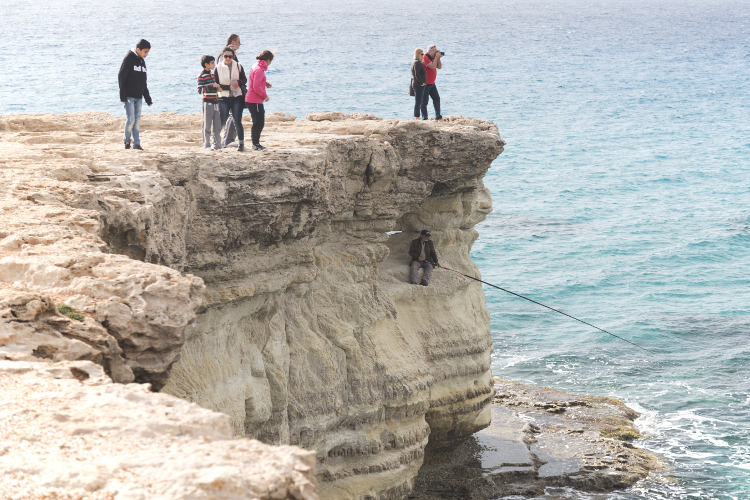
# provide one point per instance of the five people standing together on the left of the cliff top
(224, 86)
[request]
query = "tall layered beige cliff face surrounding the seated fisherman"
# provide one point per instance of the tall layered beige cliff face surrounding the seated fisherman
(311, 334)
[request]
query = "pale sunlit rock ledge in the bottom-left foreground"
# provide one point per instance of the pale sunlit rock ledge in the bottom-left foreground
(69, 432)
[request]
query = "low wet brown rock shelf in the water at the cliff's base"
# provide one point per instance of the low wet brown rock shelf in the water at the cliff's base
(539, 438)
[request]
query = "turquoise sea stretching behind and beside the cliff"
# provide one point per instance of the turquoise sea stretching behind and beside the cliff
(622, 197)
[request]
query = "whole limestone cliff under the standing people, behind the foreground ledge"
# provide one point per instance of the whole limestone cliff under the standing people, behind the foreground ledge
(269, 278)
